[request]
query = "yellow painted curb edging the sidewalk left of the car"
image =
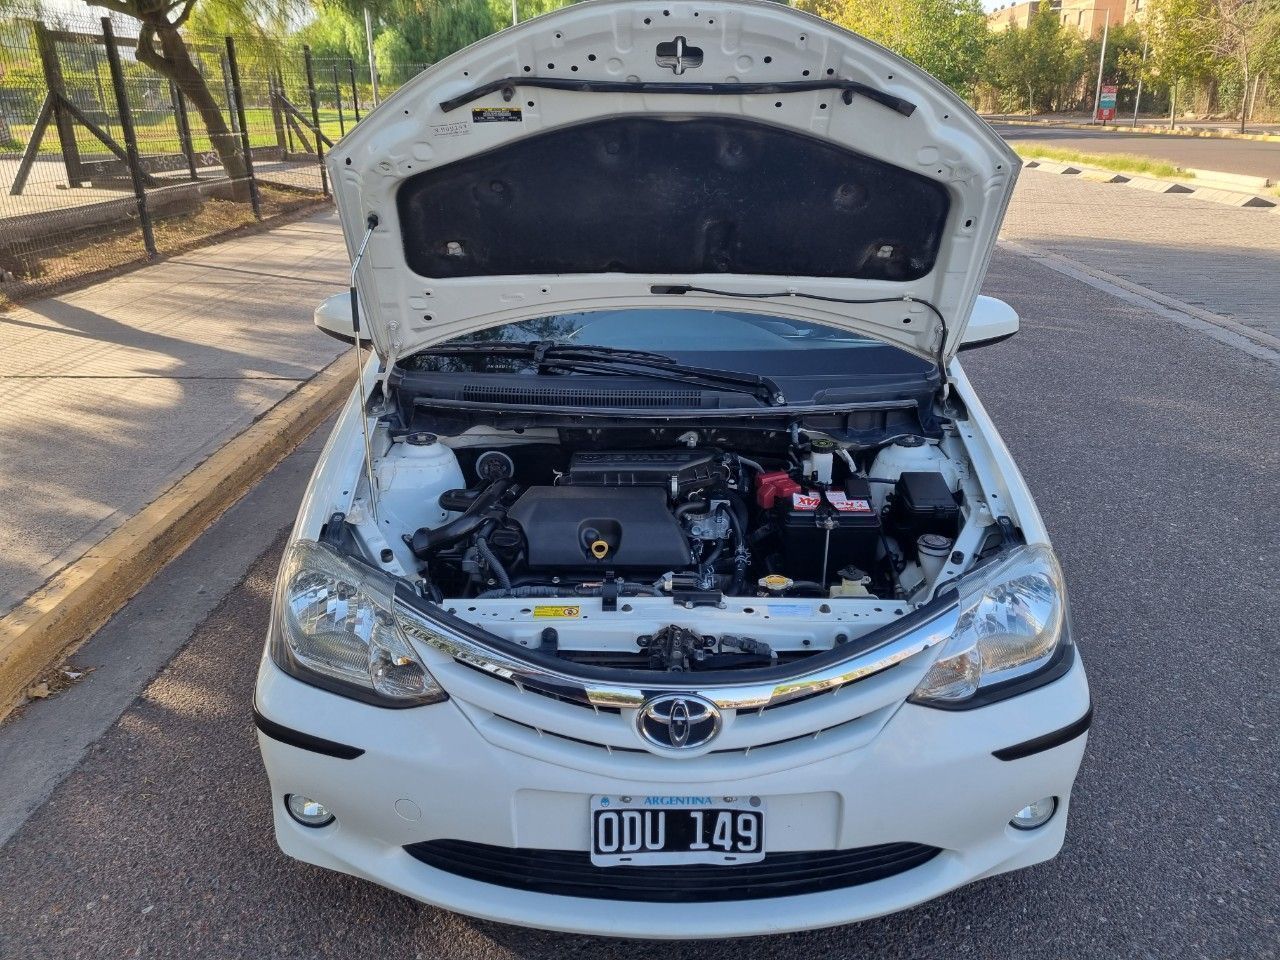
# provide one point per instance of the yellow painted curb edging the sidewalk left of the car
(56, 620)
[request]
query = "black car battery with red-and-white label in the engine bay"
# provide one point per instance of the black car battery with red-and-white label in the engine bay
(806, 518)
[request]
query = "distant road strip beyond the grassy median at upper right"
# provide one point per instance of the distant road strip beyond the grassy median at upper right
(1247, 157)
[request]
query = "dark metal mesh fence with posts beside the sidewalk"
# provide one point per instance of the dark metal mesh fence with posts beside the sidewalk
(107, 159)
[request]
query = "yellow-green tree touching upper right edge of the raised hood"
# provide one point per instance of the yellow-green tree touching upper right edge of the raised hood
(947, 38)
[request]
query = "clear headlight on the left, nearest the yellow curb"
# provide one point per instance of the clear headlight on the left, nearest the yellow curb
(336, 628)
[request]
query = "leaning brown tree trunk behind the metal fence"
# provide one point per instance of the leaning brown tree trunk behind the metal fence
(163, 48)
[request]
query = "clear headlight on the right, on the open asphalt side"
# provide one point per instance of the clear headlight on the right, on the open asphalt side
(1013, 618)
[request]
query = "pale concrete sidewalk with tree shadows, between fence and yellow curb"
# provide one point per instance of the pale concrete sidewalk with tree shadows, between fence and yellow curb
(111, 395)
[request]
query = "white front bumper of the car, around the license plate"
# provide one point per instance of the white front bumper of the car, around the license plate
(926, 778)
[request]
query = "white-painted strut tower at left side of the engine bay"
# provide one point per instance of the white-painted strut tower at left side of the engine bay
(412, 478)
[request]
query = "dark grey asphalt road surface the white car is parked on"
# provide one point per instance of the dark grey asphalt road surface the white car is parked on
(1154, 456)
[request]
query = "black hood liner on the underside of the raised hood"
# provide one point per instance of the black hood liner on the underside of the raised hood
(673, 196)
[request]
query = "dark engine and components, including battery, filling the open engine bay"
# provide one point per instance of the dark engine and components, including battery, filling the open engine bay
(691, 523)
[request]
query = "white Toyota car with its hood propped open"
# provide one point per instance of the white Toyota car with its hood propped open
(665, 577)
